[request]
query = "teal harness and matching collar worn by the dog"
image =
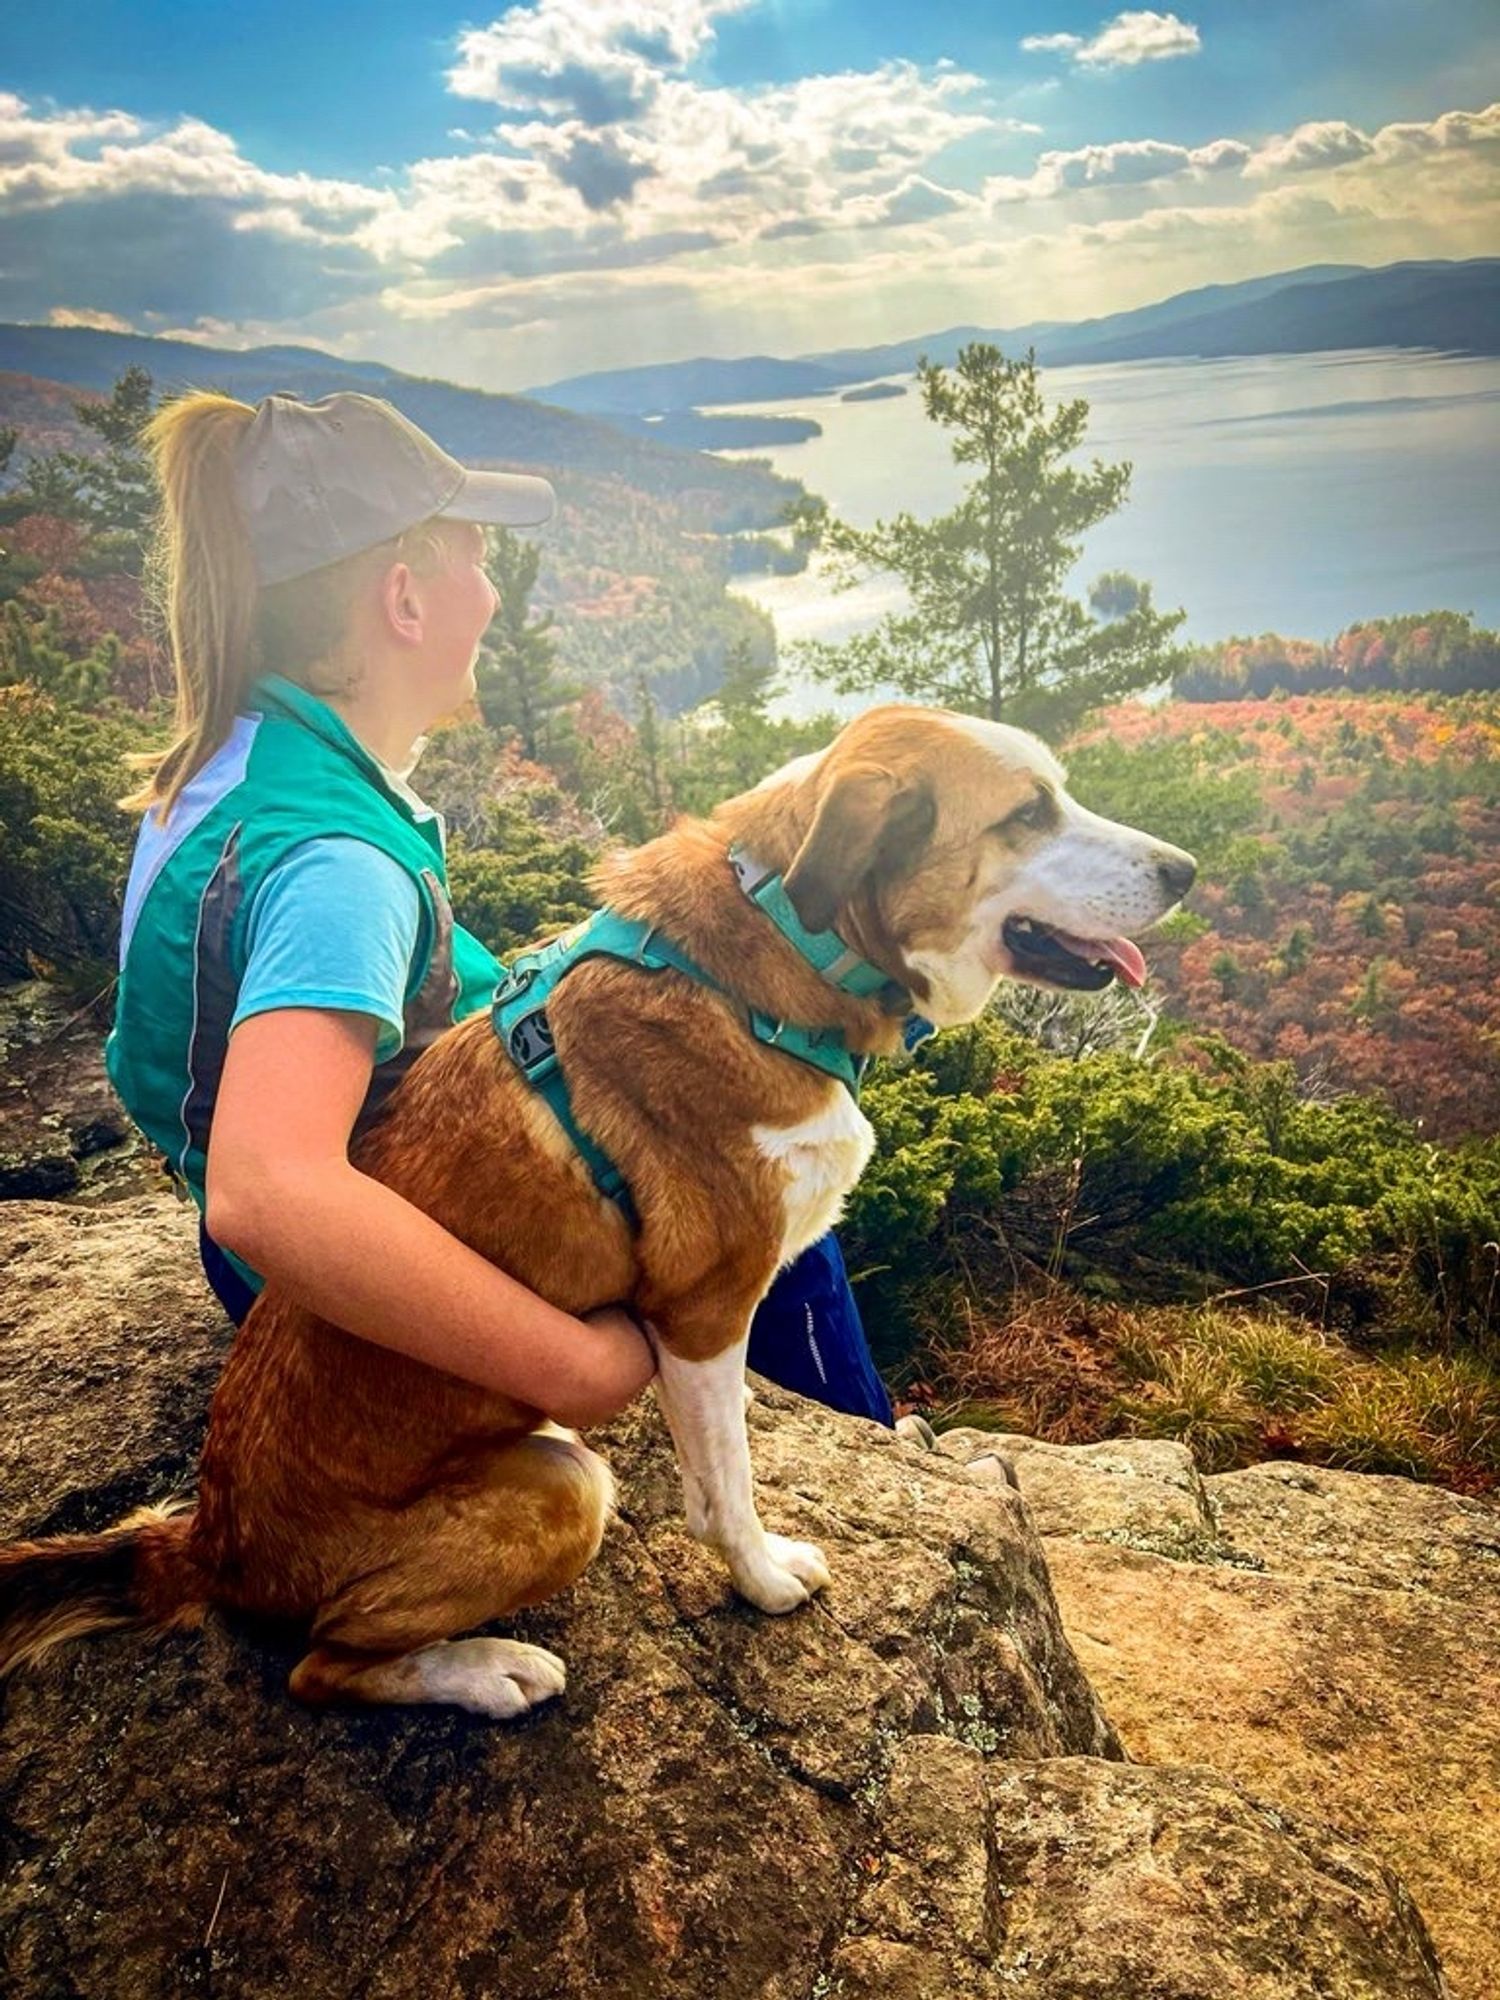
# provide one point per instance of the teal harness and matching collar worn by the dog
(523, 997)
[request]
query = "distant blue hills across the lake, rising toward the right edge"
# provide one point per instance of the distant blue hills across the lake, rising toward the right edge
(1435, 305)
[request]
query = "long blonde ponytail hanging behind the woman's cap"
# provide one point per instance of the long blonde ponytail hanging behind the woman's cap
(205, 581)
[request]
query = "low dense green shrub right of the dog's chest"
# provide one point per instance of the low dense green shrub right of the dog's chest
(1199, 1171)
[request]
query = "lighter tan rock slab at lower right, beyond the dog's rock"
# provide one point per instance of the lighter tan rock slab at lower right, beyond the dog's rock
(1327, 1639)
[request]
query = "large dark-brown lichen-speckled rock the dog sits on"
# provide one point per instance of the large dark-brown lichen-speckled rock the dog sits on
(907, 1787)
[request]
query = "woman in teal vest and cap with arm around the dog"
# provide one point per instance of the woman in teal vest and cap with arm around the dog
(287, 943)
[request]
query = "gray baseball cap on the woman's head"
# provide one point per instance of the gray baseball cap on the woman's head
(321, 481)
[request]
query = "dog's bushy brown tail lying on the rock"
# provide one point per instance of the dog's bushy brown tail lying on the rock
(67, 1585)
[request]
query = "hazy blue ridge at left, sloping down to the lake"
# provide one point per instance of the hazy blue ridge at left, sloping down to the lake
(471, 423)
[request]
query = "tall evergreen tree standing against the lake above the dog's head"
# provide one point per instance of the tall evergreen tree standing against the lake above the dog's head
(989, 625)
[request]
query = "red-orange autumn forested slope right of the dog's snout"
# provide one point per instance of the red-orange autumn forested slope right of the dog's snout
(1349, 915)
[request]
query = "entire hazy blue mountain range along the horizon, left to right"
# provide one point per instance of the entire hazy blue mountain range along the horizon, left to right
(643, 427)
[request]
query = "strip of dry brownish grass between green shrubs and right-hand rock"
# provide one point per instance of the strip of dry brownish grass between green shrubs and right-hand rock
(1231, 1385)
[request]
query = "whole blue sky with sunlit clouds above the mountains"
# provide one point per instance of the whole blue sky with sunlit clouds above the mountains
(521, 193)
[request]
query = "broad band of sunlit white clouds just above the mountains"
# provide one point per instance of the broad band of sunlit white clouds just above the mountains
(699, 221)
